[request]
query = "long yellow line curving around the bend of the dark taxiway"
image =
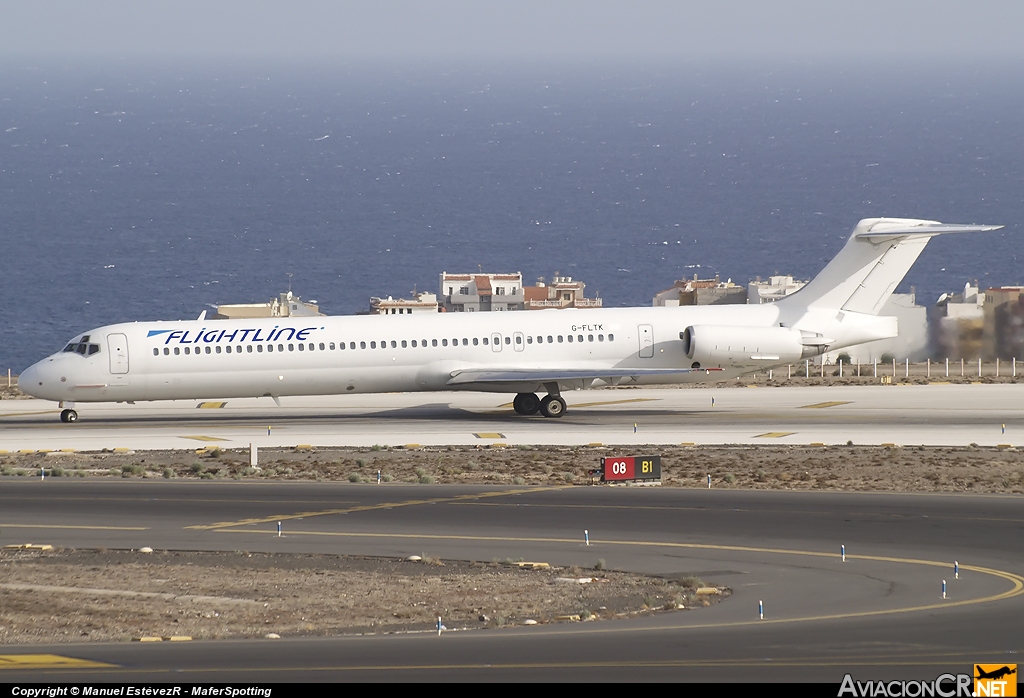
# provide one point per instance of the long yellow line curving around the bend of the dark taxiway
(1016, 581)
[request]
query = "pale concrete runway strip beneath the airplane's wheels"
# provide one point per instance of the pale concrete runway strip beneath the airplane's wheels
(929, 415)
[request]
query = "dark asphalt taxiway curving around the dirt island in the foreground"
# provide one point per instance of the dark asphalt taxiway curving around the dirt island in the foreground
(879, 616)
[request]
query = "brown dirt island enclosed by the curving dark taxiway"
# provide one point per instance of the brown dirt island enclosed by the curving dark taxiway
(105, 596)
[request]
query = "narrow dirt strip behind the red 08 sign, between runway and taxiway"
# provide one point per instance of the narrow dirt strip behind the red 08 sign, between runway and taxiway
(912, 469)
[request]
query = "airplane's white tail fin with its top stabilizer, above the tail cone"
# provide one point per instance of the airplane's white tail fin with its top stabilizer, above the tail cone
(874, 261)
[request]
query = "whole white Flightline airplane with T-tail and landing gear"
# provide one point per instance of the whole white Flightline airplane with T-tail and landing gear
(515, 353)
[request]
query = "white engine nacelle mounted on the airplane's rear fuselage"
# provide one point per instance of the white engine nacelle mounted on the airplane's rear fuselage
(713, 345)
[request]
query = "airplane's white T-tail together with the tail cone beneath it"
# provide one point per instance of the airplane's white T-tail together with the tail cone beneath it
(840, 308)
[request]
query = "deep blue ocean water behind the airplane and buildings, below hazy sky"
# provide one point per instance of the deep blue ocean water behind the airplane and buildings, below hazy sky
(136, 191)
